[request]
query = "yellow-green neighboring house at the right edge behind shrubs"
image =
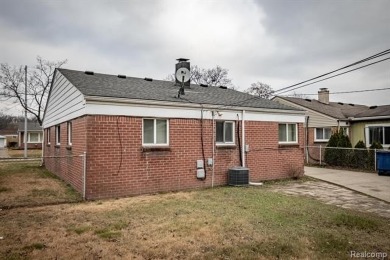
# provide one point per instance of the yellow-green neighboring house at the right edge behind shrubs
(372, 125)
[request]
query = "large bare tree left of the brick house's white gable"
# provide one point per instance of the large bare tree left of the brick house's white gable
(12, 85)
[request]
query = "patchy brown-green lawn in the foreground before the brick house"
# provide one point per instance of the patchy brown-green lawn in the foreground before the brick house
(219, 223)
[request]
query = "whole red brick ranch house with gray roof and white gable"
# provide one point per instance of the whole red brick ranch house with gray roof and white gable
(140, 137)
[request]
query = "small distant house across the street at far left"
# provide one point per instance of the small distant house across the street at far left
(34, 135)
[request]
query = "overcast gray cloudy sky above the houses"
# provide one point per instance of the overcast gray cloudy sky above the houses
(276, 42)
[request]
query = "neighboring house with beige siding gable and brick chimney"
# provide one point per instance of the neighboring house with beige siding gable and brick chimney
(323, 118)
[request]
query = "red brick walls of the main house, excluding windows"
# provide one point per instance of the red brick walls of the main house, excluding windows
(118, 166)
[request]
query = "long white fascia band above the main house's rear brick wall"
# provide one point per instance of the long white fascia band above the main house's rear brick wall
(193, 111)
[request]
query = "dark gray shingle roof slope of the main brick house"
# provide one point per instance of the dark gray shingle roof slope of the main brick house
(104, 85)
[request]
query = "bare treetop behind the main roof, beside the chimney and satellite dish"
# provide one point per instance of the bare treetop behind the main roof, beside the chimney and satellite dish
(214, 77)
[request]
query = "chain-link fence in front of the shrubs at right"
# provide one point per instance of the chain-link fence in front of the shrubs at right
(356, 158)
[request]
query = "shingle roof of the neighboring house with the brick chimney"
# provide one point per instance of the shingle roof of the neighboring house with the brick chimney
(334, 109)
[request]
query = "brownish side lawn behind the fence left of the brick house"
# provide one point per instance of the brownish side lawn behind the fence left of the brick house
(28, 184)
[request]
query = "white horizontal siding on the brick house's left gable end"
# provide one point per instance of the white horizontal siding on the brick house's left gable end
(65, 102)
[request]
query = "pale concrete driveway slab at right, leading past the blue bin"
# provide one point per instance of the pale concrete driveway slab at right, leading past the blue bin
(367, 183)
